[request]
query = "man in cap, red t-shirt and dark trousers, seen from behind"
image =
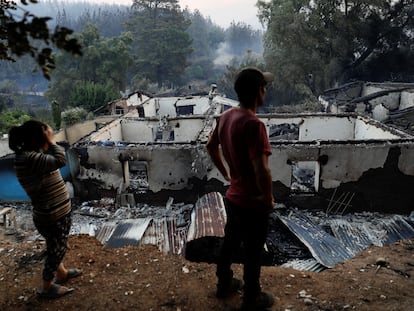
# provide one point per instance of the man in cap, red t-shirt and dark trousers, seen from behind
(249, 199)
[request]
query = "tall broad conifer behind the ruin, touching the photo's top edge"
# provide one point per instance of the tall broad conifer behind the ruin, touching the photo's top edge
(161, 43)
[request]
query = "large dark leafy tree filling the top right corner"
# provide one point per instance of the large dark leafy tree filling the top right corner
(314, 45)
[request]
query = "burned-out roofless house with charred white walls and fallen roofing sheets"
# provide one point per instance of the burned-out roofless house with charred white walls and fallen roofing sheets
(334, 164)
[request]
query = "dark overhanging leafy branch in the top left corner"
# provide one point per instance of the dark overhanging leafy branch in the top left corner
(26, 34)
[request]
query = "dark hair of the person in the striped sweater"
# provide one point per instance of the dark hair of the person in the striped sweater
(29, 136)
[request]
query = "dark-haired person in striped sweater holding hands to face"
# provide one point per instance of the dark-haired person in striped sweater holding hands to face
(37, 162)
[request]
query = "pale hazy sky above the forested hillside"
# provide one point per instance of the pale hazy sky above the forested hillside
(221, 12)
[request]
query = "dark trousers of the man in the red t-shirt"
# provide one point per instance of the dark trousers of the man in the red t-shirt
(247, 226)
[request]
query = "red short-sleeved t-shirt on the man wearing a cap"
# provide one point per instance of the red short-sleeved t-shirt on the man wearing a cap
(242, 137)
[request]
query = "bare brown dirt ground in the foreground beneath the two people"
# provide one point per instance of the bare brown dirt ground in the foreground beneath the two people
(142, 278)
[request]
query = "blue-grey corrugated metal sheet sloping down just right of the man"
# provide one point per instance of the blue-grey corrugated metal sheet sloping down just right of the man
(325, 248)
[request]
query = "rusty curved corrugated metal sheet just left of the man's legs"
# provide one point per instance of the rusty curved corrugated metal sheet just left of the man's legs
(208, 217)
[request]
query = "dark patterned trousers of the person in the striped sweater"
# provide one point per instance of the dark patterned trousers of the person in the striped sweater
(56, 236)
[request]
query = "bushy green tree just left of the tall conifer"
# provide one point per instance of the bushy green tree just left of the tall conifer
(97, 77)
